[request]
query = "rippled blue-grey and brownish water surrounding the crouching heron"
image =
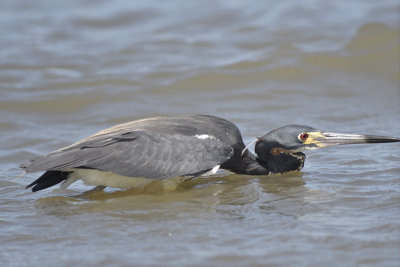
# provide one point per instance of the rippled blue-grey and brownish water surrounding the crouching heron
(70, 69)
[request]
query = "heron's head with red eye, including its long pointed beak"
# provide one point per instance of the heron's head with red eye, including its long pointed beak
(281, 150)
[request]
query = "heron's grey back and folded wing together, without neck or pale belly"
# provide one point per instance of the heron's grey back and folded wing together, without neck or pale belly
(155, 148)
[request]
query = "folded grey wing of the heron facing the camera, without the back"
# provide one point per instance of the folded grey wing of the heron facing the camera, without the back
(138, 154)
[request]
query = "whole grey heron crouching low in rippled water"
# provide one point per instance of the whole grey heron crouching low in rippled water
(180, 146)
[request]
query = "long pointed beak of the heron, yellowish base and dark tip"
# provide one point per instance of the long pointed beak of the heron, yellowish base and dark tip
(325, 139)
